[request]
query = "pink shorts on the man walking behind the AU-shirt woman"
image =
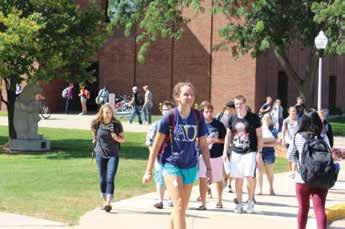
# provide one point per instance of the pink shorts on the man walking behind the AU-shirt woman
(217, 168)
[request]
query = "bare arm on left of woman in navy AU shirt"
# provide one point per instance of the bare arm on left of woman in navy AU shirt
(159, 139)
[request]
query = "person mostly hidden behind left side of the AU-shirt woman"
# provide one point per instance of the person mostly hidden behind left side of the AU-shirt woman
(158, 174)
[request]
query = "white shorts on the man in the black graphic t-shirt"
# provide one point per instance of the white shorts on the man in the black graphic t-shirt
(242, 165)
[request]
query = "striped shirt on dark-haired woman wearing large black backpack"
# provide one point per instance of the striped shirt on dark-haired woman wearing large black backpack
(297, 147)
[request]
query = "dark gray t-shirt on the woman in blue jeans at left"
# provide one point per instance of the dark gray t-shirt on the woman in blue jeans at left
(105, 144)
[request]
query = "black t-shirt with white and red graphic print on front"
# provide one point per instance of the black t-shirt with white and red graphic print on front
(244, 139)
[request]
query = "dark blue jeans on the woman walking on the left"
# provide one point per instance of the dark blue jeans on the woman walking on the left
(107, 168)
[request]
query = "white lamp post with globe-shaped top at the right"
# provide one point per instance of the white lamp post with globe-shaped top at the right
(321, 43)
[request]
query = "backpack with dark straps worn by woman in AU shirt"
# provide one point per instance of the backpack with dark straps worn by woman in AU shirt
(168, 139)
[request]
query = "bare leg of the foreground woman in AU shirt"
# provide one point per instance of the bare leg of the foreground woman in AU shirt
(176, 190)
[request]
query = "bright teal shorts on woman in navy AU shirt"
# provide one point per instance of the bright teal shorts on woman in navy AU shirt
(188, 175)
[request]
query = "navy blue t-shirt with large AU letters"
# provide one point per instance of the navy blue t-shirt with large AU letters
(185, 133)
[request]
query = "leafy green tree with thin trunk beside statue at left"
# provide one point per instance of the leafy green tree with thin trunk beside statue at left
(46, 40)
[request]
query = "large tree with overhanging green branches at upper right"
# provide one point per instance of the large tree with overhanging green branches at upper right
(254, 27)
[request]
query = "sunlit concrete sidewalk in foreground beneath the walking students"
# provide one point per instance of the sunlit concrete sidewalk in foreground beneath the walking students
(271, 211)
